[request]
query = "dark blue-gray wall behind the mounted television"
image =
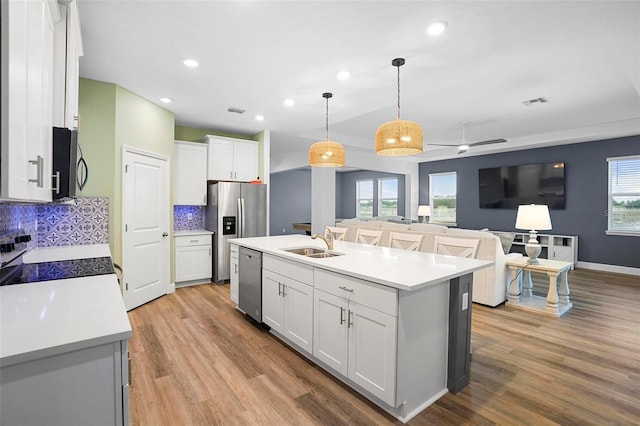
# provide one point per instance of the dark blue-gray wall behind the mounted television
(585, 191)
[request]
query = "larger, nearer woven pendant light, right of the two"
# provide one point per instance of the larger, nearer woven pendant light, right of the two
(399, 137)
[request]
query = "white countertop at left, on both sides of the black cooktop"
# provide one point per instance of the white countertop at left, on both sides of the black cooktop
(48, 318)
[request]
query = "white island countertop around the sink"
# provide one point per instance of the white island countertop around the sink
(397, 268)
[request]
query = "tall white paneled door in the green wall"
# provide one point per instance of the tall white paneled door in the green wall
(145, 213)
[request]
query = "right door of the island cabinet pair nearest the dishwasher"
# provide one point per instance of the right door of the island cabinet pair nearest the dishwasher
(298, 314)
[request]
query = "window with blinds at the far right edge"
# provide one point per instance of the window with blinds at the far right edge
(624, 196)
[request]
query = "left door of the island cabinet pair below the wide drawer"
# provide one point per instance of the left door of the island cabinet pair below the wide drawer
(330, 333)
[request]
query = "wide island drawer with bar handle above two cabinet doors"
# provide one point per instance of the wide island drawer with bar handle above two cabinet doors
(375, 296)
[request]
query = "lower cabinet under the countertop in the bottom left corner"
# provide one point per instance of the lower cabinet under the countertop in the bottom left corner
(88, 386)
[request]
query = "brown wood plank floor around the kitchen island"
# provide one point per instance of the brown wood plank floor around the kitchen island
(195, 360)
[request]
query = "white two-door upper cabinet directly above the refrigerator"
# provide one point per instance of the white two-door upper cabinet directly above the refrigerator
(231, 159)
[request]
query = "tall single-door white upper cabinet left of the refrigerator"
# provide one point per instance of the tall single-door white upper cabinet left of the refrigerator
(190, 174)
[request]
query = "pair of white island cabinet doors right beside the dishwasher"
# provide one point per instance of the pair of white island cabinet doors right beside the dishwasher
(286, 308)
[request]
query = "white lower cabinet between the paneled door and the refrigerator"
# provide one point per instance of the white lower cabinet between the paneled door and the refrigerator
(193, 258)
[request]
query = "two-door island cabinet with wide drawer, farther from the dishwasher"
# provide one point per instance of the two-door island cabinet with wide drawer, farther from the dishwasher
(357, 341)
